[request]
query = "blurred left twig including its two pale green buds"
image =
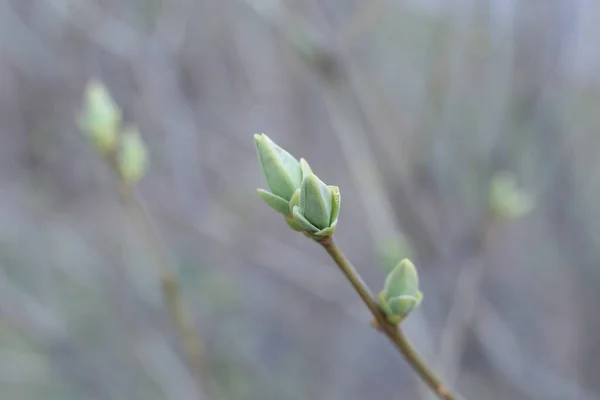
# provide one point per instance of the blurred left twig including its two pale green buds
(125, 153)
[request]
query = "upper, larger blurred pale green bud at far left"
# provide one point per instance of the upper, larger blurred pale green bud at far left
(100, 118)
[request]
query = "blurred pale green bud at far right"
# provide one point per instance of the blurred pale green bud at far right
(506, 200)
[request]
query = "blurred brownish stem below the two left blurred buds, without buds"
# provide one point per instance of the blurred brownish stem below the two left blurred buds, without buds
(180, 315)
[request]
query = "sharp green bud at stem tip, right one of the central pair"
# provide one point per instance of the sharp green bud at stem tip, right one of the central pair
(318, 207)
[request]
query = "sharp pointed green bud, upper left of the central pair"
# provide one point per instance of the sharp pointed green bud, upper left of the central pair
(282, 172)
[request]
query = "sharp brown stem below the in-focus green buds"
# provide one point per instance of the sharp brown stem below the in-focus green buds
(393, 332)
